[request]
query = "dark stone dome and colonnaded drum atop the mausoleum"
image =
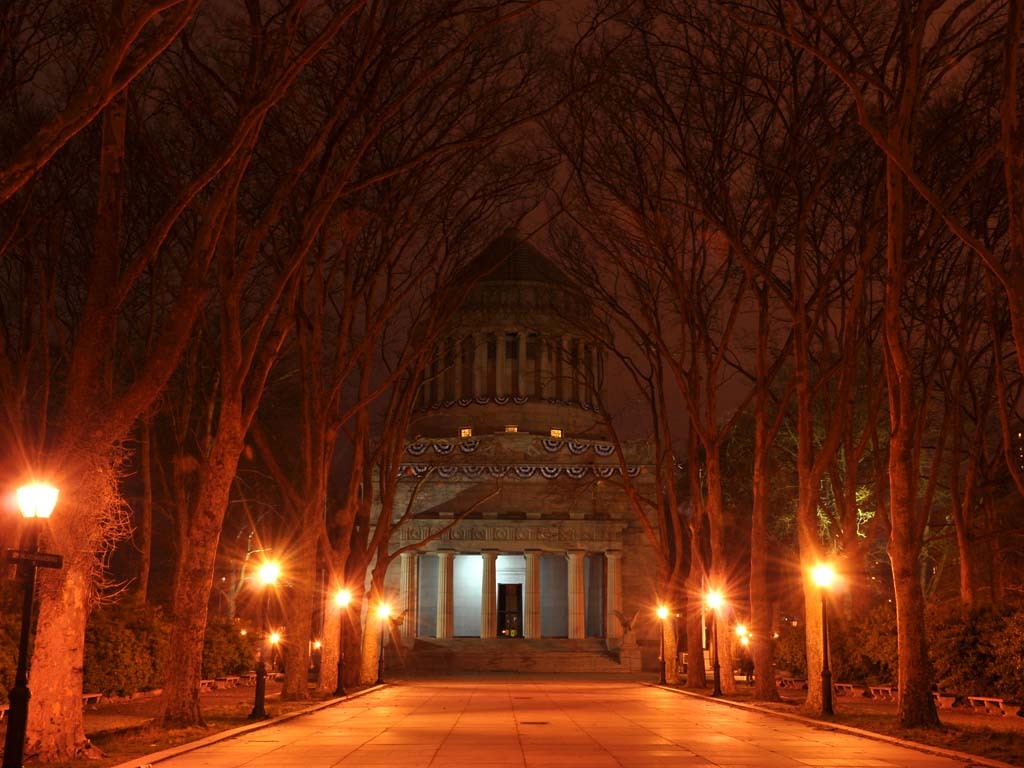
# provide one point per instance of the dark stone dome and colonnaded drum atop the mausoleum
(516, 360)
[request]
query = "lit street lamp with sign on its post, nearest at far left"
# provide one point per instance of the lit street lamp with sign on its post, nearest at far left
(36, 502)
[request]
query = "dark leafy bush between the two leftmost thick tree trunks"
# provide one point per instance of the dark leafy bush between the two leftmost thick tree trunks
(125, 650)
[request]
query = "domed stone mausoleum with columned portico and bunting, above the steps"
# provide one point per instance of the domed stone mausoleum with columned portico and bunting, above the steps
(509, 461)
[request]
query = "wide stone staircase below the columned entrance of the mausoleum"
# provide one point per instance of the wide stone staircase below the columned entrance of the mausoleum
(548, 657)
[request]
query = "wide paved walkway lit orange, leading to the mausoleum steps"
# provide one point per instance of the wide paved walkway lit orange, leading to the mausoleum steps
(500, 723)
